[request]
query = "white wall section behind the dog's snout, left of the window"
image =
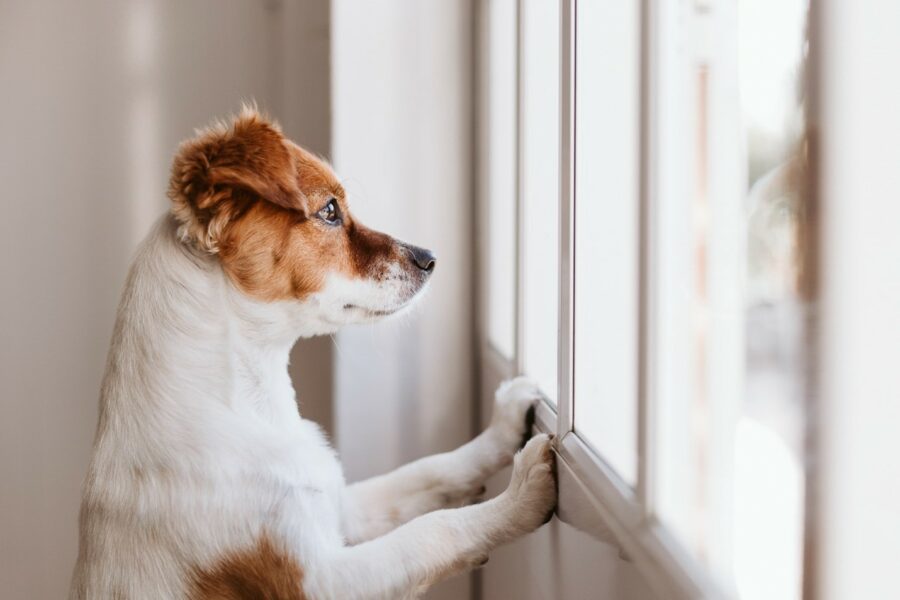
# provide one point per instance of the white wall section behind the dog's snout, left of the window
(402, 144)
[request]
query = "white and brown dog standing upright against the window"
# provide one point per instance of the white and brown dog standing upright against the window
(205, 481)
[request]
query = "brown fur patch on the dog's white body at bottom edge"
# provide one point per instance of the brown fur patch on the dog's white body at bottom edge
(263, 571)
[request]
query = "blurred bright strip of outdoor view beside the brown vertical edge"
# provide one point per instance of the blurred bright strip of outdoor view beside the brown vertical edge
(768, 445)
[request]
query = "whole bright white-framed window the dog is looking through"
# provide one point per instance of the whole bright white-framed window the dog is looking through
(658, 191)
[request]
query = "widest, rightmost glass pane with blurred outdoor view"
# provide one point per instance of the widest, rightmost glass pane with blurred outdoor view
(731, 297)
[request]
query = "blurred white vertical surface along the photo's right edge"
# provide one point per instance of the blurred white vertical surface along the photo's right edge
(856, 506)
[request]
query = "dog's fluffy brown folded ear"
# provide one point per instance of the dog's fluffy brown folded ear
(216, 174)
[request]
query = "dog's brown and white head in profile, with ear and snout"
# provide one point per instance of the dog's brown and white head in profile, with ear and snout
(280, 224)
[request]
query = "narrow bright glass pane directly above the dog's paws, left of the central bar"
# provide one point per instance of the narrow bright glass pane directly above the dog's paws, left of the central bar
(540, 190)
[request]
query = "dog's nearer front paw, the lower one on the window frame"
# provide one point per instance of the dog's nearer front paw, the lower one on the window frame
(532, 488)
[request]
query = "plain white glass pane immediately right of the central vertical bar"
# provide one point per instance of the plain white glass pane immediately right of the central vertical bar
(607, 230)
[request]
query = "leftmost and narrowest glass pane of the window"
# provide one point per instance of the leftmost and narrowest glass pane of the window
(502, 176)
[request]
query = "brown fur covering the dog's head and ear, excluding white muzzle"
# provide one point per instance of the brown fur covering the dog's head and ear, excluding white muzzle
(251, 196)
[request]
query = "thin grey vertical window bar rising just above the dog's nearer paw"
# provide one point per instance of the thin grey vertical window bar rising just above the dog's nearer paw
(566, 371)
